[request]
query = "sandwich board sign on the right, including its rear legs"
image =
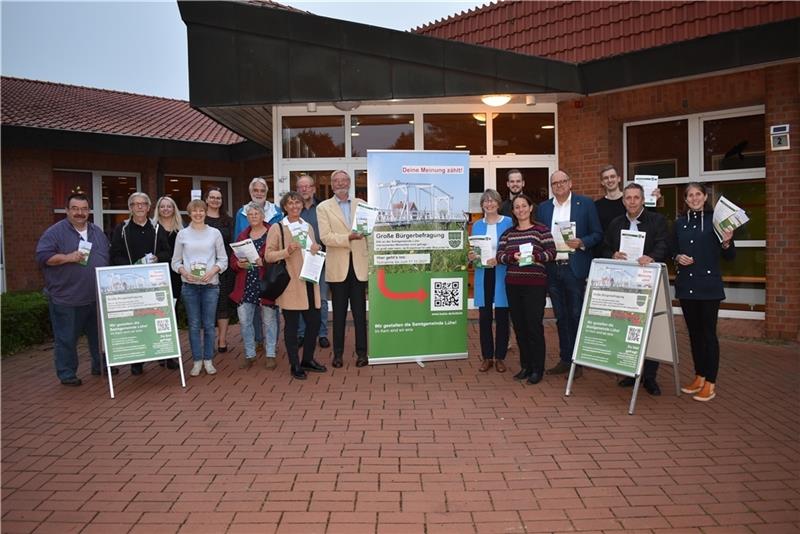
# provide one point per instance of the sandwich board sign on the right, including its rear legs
(626, 318)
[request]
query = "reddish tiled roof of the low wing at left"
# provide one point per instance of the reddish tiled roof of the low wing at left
(56, 106)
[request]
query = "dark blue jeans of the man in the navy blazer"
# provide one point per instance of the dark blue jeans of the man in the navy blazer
(566, 295)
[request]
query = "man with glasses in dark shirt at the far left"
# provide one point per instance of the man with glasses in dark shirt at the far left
(68, 253)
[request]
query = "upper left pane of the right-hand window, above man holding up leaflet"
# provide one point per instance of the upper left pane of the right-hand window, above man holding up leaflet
(660, 148)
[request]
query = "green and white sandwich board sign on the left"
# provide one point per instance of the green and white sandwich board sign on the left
(137, 316)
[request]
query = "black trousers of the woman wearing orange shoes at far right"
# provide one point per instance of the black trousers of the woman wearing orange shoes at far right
(701, 321)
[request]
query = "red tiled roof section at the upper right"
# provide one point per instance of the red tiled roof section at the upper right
(582, 31)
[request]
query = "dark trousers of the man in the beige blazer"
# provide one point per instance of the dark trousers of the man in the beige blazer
(354, 292)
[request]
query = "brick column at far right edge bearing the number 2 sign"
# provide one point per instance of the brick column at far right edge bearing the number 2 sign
(782, 104)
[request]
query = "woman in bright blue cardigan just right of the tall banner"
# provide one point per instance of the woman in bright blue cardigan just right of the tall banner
(490, 286)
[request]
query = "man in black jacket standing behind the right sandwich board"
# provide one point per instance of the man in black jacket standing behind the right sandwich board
(656, 249)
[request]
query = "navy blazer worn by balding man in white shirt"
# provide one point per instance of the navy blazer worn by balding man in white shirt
(587, 227)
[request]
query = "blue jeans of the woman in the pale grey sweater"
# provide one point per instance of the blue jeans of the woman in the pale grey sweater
(200, 301)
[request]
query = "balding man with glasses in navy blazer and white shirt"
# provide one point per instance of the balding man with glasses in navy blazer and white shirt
(566, 276)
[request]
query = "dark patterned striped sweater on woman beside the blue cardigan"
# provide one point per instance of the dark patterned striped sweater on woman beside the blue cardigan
(544, 250)
